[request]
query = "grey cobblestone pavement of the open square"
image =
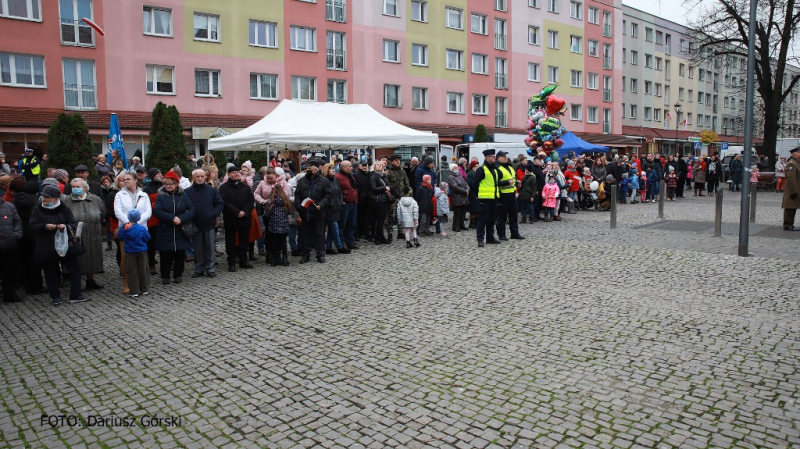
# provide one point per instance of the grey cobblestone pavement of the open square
(578, 336)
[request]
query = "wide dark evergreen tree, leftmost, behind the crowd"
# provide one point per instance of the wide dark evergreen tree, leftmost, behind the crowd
(69, 144)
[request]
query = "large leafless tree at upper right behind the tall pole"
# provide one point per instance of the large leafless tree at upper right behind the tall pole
(722, 31)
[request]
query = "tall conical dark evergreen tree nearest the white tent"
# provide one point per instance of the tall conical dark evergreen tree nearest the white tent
(167, 146)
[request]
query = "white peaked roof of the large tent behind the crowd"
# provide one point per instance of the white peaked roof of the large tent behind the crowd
(305, 125)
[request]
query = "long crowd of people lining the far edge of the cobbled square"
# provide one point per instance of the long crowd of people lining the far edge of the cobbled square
(164, 220)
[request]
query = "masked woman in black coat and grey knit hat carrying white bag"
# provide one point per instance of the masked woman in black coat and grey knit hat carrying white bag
(50, 216)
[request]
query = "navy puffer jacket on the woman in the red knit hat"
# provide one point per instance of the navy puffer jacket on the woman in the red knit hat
(168, 206)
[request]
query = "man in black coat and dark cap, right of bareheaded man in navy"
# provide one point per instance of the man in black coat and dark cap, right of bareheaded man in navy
(239, 202)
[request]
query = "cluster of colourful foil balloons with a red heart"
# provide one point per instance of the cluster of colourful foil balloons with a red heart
(544, 125)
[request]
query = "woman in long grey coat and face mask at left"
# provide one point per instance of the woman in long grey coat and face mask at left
(89, 209)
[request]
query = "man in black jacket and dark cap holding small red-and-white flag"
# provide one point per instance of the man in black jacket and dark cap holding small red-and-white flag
(311, 198)
